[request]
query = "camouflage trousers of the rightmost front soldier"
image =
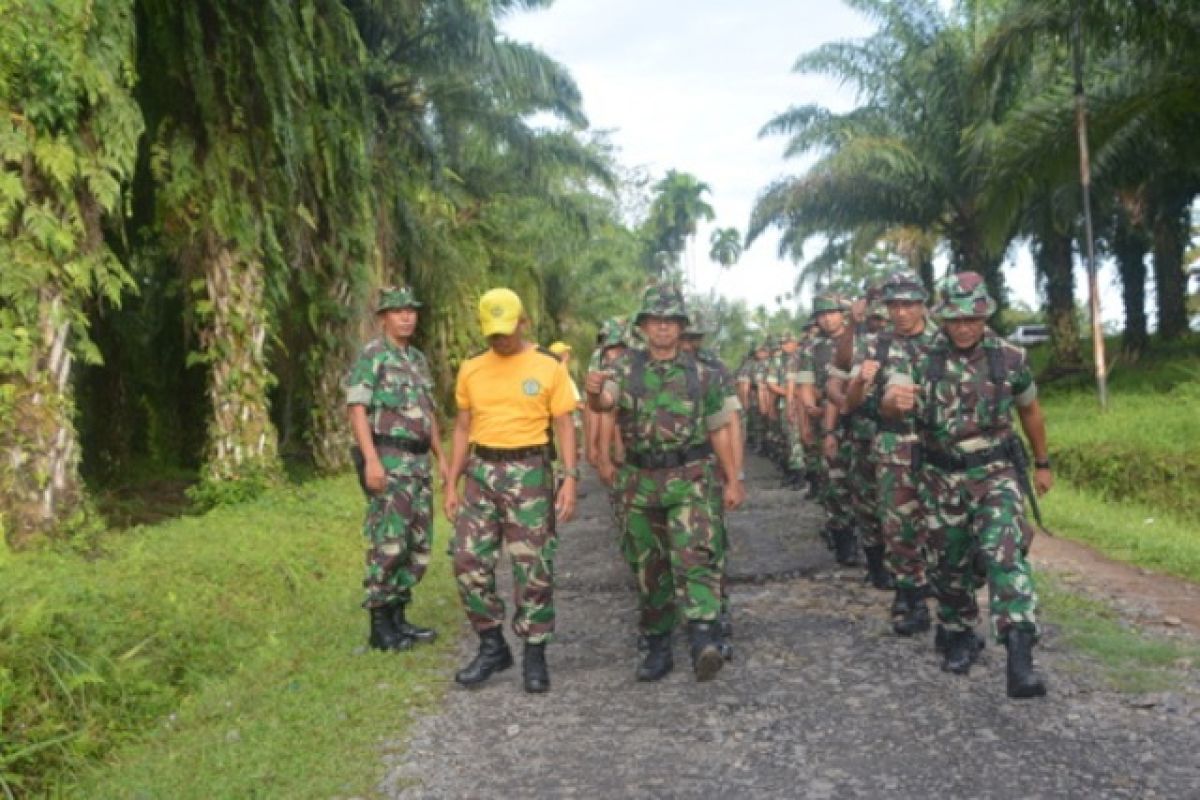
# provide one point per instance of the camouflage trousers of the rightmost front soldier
(971, 515)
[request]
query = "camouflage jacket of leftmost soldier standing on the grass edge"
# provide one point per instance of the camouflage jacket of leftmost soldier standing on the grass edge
(397, 388)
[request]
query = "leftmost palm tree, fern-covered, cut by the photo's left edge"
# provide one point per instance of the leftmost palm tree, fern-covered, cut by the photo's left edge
(68, 146)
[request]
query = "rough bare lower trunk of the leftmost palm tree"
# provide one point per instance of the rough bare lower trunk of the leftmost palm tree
(40, 484)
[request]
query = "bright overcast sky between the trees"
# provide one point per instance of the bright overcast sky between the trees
(687, 85)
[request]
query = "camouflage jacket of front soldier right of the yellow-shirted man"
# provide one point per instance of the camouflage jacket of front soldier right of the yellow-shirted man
(681, 401)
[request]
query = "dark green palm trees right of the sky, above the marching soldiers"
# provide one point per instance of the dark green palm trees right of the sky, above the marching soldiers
(964, 142)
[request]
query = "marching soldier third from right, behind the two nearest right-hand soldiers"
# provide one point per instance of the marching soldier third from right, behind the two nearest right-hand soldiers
(817, 369)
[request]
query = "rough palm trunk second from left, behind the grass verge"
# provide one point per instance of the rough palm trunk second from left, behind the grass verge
(242, 441)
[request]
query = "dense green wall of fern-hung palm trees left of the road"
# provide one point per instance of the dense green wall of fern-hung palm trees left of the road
(200, 200)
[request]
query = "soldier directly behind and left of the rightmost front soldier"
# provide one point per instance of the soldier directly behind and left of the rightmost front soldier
(896, 448)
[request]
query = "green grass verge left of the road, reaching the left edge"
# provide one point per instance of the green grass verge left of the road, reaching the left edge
(212, 657)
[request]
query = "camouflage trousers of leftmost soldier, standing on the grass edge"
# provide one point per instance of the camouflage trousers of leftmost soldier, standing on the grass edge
(399, 530)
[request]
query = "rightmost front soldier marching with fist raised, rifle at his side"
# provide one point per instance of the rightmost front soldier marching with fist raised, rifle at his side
(963, 394)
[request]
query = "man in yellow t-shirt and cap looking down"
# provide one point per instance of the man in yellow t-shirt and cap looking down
(509, 399)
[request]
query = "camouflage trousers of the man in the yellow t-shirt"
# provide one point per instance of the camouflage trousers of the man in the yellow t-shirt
(508, 504)
